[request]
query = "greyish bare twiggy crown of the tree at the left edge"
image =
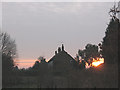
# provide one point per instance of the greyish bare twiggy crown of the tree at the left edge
(7, 45)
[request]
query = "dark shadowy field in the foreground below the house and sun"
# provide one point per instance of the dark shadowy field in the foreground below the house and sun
(104, 76)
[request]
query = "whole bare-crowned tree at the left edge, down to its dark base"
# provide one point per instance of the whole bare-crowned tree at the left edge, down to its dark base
(8, 48)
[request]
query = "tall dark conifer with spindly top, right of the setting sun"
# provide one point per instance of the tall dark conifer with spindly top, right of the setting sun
(110, 41)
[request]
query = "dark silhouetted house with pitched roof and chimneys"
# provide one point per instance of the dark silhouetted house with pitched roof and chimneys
(61, 62)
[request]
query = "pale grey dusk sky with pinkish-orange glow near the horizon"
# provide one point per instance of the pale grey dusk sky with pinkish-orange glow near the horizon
(39, 28)
